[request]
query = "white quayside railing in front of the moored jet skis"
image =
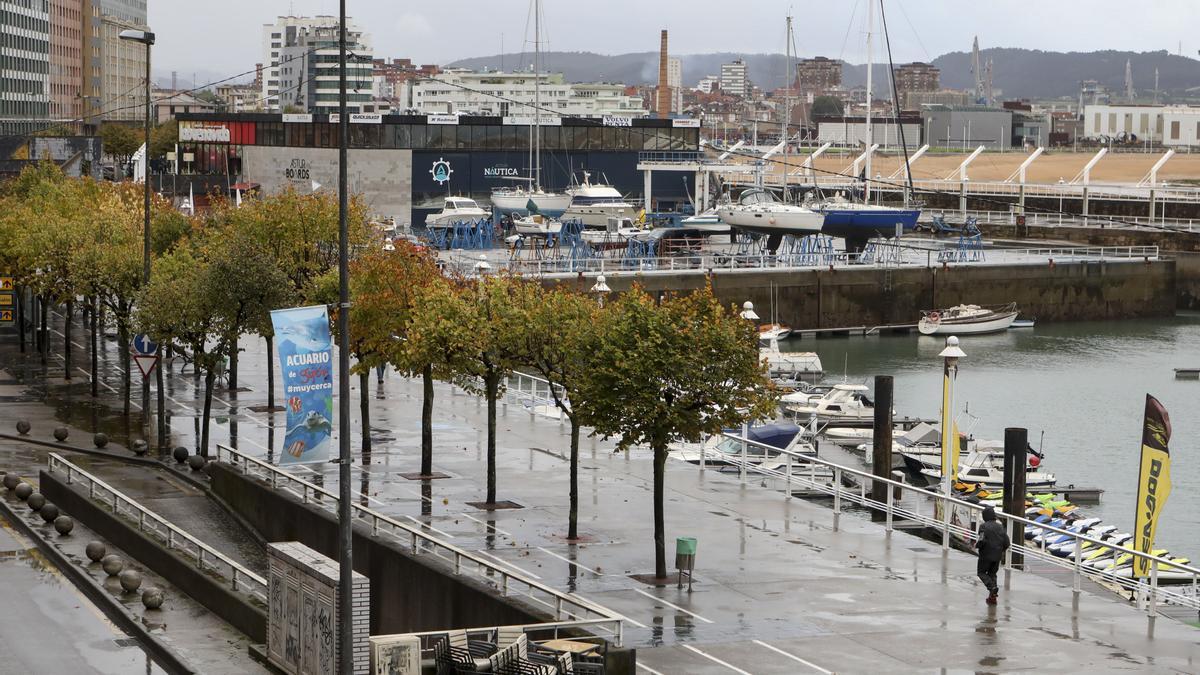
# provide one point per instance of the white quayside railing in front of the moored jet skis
(862, 498)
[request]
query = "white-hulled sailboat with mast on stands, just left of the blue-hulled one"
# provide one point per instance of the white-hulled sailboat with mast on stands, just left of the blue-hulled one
(758, 211)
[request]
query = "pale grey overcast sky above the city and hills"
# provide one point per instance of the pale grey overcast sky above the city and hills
(223, 38)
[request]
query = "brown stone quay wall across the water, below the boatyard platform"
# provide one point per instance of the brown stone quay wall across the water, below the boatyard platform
(842, 297)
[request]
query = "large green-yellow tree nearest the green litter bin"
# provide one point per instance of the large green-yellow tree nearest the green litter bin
(674, 372)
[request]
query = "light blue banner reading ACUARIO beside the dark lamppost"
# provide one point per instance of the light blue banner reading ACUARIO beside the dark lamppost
(307, 360)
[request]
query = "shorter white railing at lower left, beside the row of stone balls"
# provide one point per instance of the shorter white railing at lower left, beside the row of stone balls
(206, 557)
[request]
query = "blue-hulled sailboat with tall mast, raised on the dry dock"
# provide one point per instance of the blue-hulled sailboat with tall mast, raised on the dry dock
(857, 223)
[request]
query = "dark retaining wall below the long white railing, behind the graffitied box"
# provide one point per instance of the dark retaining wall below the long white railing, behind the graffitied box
(409, 594)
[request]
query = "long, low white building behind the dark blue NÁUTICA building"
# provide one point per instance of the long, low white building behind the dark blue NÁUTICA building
(513, 94)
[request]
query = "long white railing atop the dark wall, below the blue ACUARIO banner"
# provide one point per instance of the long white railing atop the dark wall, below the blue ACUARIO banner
(563, 605)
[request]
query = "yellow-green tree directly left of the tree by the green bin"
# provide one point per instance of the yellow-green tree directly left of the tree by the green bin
(556, 334)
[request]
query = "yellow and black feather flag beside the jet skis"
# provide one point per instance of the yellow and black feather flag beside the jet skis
(1154, 481)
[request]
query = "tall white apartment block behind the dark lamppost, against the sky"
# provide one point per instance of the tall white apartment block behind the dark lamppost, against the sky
(301, 64)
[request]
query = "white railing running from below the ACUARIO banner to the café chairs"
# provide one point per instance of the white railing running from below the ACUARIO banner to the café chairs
(577, 611)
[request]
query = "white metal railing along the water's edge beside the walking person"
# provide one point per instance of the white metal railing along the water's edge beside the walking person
(956, 517)
